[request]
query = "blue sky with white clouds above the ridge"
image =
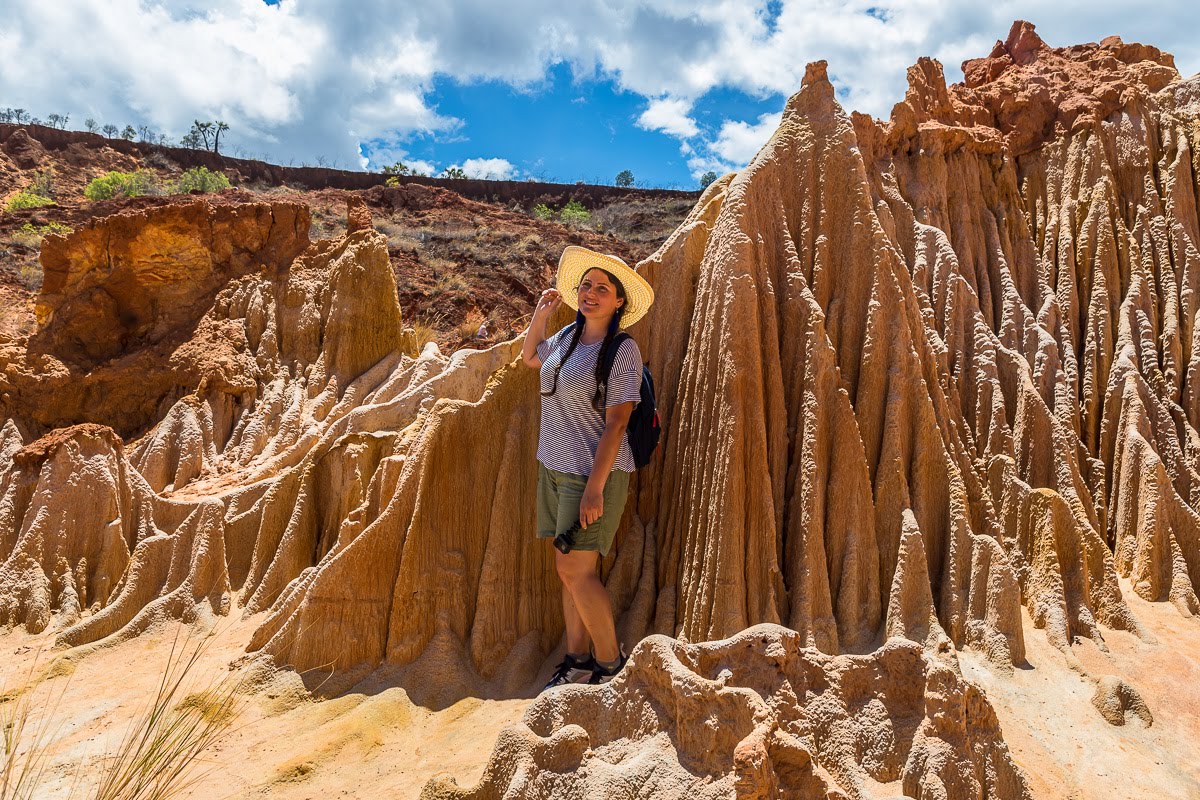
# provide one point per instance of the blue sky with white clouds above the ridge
(668, 89)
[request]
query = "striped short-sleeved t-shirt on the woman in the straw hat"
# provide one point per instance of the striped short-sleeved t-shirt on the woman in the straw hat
(571, 426)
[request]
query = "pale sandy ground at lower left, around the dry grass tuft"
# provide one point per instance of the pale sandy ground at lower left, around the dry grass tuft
(285, 744)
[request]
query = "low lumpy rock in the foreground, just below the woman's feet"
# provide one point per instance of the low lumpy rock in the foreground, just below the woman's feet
(757, 717)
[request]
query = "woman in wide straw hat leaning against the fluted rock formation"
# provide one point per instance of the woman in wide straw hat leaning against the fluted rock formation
(584, 455)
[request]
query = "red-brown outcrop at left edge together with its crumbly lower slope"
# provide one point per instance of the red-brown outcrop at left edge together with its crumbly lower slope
(122, 306)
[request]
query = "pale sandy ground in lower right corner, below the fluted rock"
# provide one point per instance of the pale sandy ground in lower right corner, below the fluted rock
(1067, 749)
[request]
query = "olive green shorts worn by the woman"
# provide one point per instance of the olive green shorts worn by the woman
(559, 508)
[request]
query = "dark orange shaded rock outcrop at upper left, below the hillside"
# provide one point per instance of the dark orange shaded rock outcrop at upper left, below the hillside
(140, 278)
